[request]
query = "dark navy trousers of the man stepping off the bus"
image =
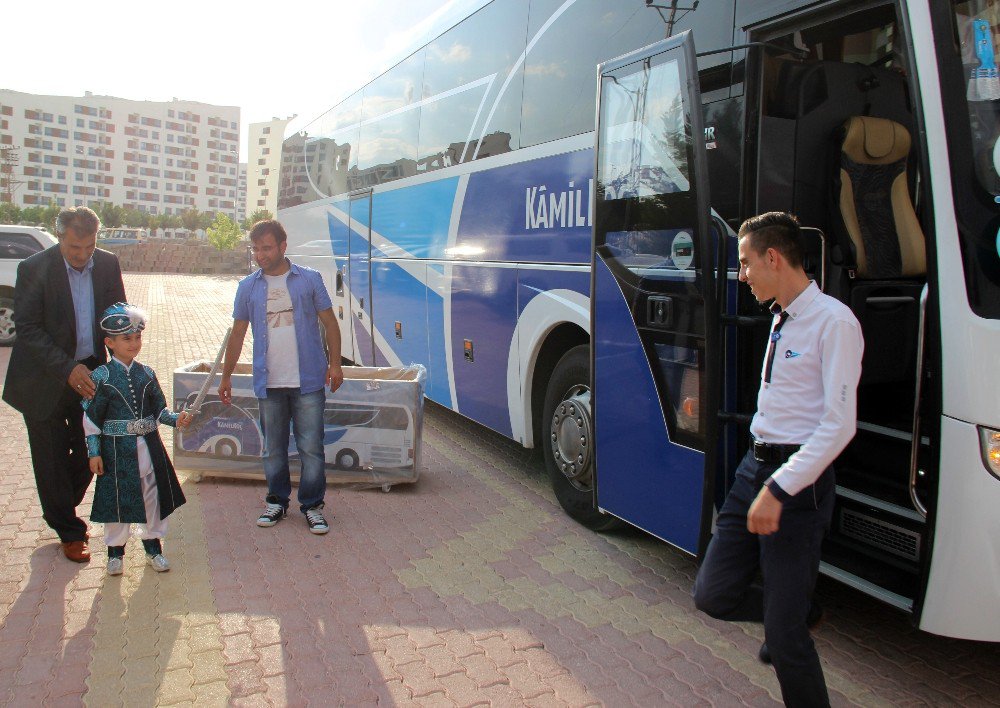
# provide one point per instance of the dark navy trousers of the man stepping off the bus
(788, 561)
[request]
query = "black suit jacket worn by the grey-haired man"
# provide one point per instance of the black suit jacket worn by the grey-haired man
(45, 323)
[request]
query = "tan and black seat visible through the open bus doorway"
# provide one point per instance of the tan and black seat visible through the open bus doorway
(881, 244)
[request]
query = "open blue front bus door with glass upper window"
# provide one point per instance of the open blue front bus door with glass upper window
(653, 317)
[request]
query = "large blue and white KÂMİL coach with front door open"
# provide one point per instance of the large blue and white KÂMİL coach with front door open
(564, 267)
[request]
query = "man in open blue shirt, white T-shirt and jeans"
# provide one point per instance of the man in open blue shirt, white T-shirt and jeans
(281, 303)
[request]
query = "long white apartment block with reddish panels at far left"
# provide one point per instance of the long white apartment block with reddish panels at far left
(157, 157)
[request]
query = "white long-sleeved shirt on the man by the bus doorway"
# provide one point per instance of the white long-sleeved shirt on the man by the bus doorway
(811, 399)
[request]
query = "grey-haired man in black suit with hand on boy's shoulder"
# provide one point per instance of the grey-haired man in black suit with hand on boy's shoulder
(60, 293)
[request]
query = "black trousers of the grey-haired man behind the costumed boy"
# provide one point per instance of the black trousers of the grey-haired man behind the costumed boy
(62, 469)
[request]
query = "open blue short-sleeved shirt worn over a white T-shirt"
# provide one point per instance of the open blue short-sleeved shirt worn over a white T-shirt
(309, 298)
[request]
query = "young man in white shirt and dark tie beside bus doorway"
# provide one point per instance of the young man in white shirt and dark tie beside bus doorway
(781, 502)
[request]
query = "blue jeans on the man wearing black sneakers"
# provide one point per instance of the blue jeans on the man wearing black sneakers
(304, 412)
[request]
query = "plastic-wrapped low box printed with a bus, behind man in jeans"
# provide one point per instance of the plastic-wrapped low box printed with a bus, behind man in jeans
(371, 432)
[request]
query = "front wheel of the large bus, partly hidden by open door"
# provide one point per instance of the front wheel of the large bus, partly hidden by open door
(568, 443)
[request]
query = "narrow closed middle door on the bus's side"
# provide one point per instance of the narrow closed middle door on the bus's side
(360, 277)
